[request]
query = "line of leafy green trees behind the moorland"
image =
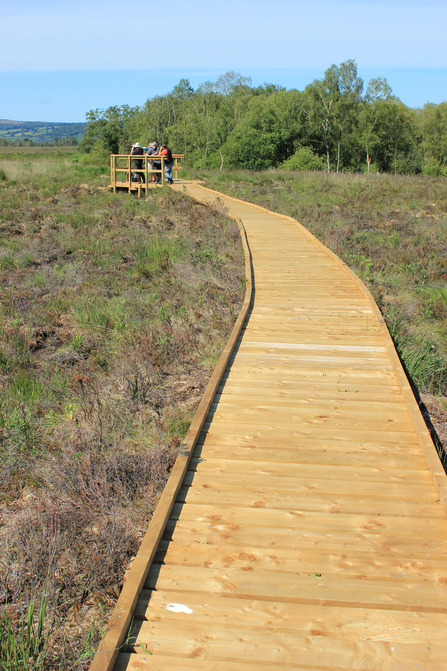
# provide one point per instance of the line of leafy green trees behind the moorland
(334, 124)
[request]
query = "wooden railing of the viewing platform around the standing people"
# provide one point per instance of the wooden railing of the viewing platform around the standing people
(122, 170)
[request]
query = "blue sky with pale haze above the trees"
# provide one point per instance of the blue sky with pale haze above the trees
(59, 59)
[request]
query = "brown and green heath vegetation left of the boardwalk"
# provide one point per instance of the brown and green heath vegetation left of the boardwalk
(114, 312)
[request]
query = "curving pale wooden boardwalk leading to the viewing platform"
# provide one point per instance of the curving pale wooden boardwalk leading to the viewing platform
(304, 525)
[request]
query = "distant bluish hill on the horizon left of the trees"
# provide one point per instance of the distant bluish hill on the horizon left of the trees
(39, 131)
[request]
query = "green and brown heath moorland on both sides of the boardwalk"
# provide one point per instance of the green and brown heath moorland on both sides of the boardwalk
(114, 312)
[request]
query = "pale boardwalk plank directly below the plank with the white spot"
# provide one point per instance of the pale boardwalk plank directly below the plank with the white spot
(288, 648)
